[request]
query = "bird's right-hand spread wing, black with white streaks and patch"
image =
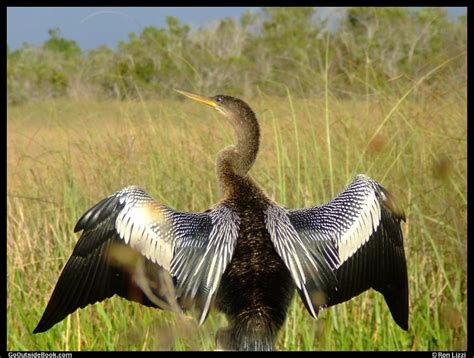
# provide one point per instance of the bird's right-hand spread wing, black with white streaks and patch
(338, 250)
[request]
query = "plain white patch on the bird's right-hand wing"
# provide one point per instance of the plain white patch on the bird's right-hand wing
(361, 229)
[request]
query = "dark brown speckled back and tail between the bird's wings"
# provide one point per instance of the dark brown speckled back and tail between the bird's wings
(257, 288)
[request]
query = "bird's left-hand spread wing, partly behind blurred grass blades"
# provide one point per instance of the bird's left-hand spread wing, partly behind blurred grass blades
(134, 247)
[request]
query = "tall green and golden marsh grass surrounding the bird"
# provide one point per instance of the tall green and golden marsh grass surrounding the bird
(65, 156)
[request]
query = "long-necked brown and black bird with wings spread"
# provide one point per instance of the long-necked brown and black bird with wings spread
(246, 256)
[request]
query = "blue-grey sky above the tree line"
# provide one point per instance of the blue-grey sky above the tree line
(91, 27)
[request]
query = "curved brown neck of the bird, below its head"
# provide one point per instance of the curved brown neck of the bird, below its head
(236, 160)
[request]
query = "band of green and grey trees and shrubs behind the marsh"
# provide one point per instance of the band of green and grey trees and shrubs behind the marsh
(270, 50)
